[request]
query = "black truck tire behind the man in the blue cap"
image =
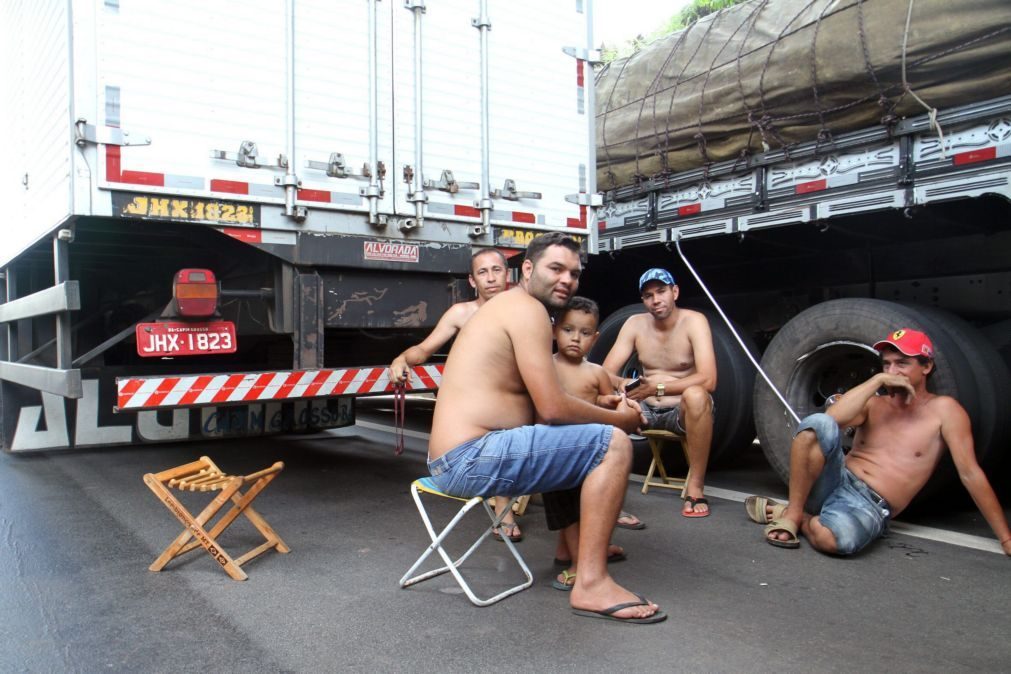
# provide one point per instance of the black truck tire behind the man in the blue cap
(733, 426)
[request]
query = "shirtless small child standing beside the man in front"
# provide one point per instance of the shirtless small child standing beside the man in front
(576, 333)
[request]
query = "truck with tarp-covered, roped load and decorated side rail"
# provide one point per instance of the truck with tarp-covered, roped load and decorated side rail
(833, 170)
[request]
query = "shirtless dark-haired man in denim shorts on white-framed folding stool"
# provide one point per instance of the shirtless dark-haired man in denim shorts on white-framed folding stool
(499, 376)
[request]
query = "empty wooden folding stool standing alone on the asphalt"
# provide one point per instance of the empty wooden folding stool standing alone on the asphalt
(204, 475)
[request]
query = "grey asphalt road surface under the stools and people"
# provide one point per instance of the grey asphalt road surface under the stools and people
(79, 531)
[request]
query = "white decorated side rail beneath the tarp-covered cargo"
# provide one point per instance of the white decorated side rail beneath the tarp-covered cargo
(867, 171)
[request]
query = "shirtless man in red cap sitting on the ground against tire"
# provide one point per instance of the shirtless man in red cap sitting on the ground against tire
(900, 439)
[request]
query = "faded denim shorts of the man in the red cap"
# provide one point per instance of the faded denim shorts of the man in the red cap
(854, 512)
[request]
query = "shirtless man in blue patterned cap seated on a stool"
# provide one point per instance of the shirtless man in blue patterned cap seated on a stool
(675, 347)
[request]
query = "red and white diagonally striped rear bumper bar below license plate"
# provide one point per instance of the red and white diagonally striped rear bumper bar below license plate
(180, 392)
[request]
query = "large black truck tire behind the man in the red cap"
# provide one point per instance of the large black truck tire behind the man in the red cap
(828, 349)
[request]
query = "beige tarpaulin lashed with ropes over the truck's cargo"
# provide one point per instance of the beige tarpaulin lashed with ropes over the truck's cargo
(770, 74)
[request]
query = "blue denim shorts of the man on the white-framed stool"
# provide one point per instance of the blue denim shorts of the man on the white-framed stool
(526, 460)
